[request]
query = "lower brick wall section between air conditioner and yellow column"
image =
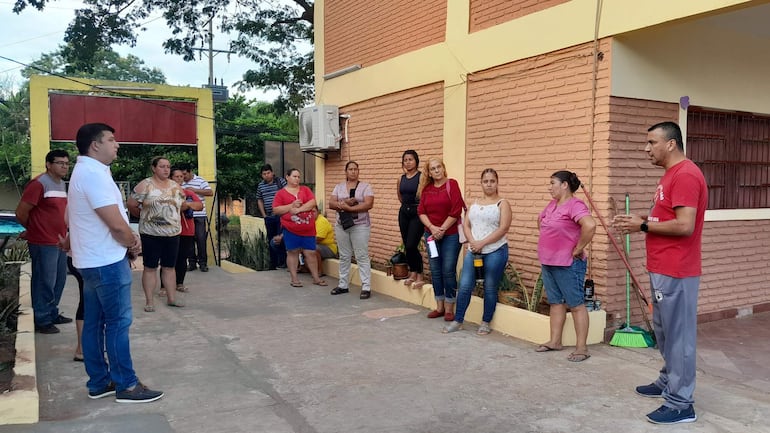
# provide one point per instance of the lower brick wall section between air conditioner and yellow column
(380, 130)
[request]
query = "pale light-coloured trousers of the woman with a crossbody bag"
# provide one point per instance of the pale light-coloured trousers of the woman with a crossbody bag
(354, 241)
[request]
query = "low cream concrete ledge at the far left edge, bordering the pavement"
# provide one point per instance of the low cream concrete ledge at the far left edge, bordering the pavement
(22, 404)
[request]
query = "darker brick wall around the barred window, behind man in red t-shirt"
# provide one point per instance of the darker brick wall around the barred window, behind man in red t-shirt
(733, 278)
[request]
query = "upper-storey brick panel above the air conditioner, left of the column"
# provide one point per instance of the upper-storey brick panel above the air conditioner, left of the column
(365, 32)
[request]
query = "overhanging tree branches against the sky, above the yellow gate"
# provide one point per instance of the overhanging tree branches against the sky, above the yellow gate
(268, 32)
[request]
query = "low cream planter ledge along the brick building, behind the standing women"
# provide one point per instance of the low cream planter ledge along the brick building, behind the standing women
(516, 322)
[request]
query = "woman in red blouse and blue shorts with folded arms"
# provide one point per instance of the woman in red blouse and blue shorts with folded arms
(296, 205)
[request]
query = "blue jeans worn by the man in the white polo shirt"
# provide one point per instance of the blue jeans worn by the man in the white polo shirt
(107, 299)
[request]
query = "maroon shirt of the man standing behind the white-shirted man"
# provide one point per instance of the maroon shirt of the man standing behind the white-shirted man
(46, 219)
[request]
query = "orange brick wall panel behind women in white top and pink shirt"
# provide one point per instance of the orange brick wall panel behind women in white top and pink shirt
(527, 120)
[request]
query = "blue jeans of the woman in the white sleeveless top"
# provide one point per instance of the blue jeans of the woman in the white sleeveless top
(494, 265)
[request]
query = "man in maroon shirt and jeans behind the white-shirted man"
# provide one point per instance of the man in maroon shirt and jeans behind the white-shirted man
(41, 212)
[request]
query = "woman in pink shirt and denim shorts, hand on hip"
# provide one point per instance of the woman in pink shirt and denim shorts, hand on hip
(566, 228)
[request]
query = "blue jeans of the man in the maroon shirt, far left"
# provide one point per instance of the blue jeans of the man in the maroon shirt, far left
(49, 273)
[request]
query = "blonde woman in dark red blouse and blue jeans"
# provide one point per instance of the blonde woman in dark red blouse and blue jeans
(441, 205)
